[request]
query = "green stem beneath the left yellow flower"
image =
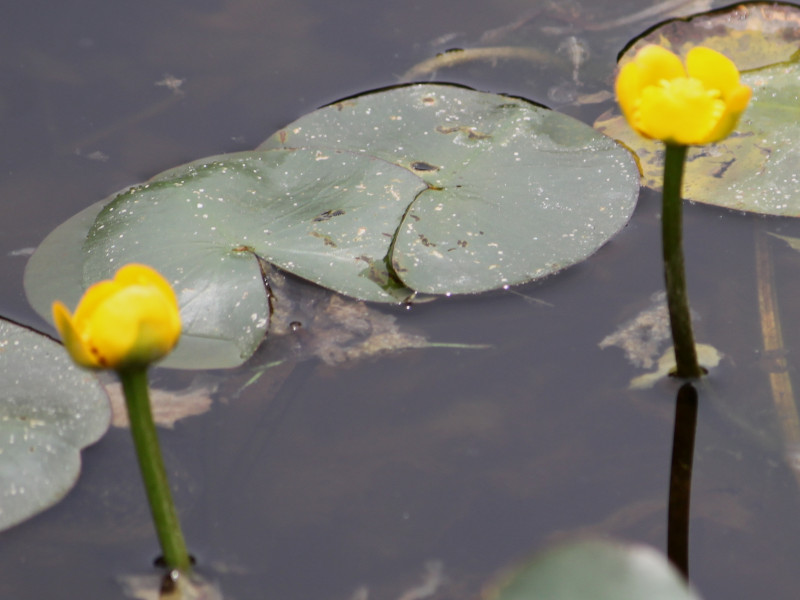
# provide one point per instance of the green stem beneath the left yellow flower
(145, 440)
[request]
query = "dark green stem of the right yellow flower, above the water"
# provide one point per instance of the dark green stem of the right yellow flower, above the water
(674, 275)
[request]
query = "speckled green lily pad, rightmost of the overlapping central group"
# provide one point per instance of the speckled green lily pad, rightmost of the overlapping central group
(514, 191)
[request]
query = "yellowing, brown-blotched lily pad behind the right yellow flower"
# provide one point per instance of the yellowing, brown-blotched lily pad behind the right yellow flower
(754, 169)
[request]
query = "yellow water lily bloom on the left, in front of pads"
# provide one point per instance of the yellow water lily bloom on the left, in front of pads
(130, 321)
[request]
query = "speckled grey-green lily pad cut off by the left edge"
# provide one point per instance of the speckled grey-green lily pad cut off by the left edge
(49, 411)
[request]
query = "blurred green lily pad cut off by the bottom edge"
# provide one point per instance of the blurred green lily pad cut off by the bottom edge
(599, 570)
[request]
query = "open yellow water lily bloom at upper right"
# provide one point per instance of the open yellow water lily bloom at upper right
(692, 105)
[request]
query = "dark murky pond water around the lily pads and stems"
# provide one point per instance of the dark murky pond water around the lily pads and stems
(352, 480)
